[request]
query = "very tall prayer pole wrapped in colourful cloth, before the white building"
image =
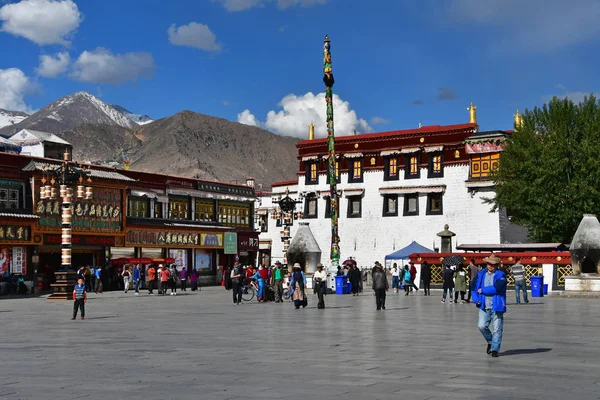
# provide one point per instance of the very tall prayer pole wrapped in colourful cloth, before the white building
(334, 205)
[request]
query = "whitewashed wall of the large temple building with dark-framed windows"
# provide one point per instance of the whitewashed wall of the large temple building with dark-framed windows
(371, 237)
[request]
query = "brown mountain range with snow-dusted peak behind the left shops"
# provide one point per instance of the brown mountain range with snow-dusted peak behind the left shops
(185, 144)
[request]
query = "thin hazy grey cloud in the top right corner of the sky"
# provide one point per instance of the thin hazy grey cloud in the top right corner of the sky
(543, 25)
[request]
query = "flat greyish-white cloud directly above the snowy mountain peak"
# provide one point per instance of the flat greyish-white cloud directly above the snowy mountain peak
(102, 66)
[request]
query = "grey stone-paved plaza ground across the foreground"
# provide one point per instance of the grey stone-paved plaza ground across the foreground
(199, 345)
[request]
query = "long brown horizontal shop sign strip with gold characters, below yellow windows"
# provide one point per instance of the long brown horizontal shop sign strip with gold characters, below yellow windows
(170, 238)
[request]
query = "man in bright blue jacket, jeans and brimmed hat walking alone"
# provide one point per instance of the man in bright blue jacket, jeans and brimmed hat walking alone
(490, 298)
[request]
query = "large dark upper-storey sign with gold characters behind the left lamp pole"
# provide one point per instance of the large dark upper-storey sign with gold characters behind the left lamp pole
(102, 213)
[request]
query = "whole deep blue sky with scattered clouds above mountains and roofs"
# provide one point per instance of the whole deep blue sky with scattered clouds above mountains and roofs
(396, 63)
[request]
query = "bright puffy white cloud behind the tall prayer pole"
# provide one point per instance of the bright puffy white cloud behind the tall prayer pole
(297, 112)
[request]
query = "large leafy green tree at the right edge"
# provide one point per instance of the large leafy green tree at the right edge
(549, 171)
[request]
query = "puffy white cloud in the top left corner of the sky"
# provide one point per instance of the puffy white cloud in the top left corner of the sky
(41, 21)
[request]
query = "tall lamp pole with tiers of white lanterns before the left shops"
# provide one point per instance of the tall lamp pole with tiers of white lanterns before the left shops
(67, 176)
